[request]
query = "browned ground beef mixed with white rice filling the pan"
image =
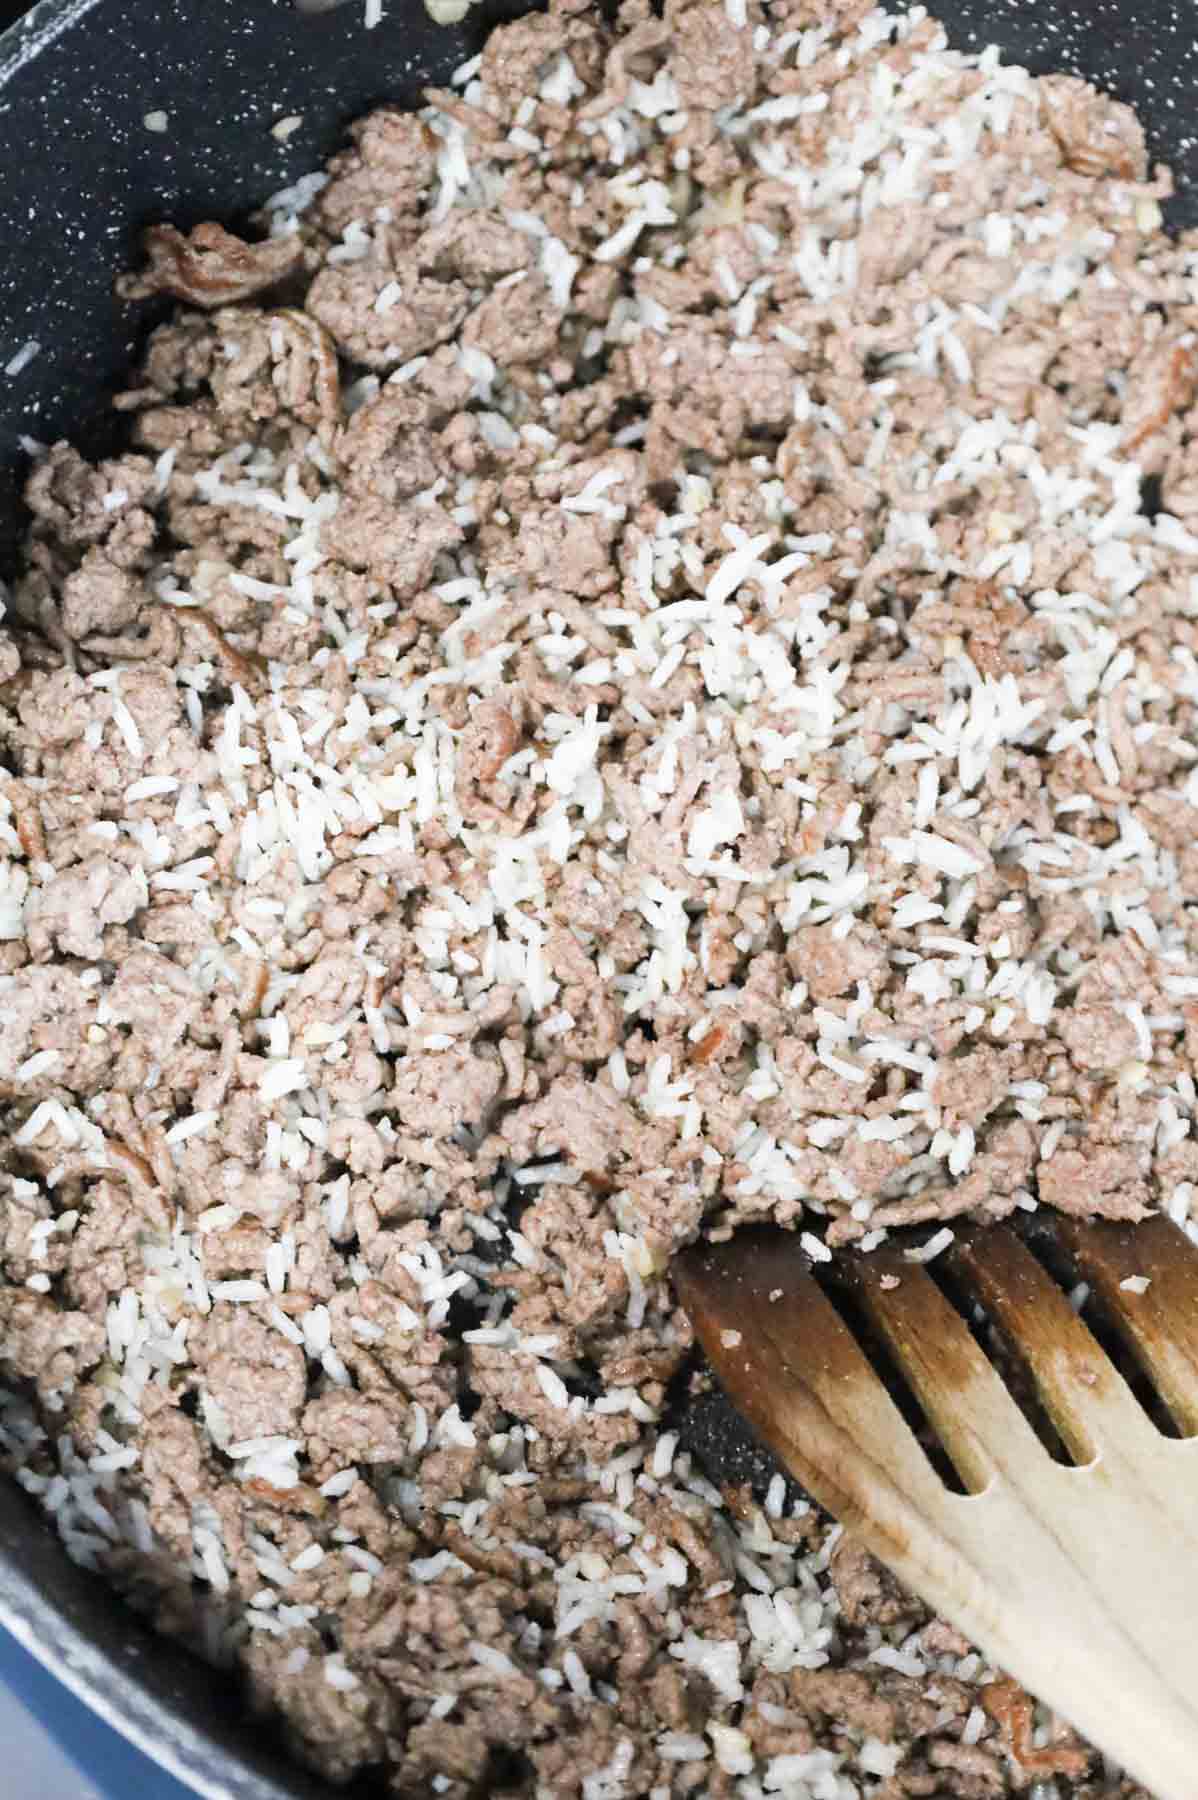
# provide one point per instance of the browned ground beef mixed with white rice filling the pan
(638, 674)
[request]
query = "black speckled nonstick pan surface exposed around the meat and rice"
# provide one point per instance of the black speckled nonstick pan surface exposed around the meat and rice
(80, 175)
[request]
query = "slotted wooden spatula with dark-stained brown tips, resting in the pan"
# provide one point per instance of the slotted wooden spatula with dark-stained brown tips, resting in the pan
(1078, 1581)
